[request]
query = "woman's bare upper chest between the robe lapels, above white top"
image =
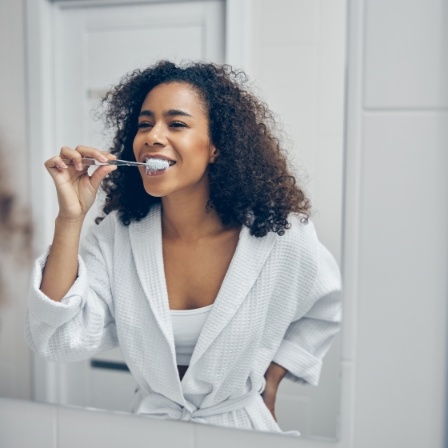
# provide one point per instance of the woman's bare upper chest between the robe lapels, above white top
(194, 271)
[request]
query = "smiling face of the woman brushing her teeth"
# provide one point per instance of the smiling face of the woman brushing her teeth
(173, 125)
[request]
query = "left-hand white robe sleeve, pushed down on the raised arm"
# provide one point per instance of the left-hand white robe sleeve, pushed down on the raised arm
(82, 323)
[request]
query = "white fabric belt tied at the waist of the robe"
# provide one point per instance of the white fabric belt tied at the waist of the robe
(158, 405)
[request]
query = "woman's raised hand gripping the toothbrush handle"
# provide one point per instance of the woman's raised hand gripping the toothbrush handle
(77, 190)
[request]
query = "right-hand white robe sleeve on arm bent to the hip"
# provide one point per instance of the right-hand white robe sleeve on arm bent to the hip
(310, 334)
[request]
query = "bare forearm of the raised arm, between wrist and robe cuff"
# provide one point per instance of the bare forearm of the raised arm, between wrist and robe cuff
(61, 268)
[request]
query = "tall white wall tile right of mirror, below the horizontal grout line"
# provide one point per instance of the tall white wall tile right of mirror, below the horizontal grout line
(401, 305)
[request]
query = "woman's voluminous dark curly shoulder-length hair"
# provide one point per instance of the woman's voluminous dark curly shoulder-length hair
(250, 183)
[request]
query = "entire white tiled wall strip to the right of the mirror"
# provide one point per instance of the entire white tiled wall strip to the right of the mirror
(399, 121)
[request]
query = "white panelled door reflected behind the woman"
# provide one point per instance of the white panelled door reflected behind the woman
(94, 47)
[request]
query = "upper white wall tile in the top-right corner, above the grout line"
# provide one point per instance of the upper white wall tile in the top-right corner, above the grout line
(406, 54)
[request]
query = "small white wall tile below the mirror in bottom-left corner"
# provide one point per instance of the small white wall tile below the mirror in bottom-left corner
(25, 424)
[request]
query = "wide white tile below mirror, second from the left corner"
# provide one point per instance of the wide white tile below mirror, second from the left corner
(93, 428)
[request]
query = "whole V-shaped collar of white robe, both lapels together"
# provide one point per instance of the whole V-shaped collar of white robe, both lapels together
(249, 257)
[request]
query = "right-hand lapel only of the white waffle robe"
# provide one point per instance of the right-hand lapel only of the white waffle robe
(250, 255)
